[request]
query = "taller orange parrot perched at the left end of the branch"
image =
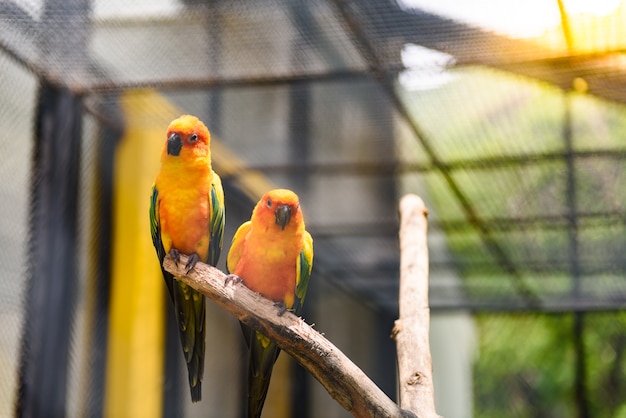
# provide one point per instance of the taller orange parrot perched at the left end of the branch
(187, 217)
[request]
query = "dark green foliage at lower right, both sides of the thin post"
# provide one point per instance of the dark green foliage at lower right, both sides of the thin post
(526, 365)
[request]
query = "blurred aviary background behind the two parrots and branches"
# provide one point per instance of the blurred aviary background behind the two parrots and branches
(506, 117)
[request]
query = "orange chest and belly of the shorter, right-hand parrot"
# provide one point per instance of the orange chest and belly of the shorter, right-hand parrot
(269, 267)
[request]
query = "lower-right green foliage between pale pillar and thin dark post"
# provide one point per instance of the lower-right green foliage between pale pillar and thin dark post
(525, 367)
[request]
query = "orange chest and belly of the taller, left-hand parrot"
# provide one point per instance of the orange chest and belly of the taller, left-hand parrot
(185, 215)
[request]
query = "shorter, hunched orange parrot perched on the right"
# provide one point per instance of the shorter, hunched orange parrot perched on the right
(271, 254)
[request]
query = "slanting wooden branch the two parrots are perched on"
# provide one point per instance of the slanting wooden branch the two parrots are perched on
(343, 380)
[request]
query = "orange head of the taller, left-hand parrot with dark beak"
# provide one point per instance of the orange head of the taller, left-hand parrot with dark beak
(188, 139)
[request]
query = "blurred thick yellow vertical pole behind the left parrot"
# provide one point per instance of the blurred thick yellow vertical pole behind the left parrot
(134, 371)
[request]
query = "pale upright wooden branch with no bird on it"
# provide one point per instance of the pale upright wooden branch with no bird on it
(411, 330)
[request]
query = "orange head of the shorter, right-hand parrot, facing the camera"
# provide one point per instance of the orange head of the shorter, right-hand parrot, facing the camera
(279, 208)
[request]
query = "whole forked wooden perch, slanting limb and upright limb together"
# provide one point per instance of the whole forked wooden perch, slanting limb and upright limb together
(343, 380)
